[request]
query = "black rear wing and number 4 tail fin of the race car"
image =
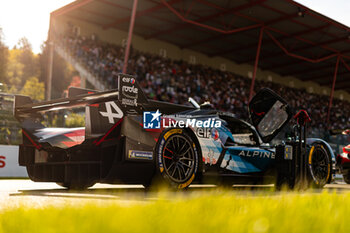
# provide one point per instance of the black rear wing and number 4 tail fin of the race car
(102, 109)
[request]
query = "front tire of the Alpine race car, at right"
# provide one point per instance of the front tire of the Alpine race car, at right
(319, 163)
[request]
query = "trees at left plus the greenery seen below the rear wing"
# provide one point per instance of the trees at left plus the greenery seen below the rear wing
(24, 72)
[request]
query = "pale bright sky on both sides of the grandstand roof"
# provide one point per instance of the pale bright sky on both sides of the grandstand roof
(30, 18)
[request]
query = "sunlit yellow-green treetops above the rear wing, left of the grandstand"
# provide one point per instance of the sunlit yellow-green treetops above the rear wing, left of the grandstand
(23, 72)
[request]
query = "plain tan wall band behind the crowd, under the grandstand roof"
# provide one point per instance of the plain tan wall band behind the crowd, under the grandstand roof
(174, 52)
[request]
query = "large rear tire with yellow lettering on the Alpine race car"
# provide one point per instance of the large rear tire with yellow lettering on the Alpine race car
(177, 158)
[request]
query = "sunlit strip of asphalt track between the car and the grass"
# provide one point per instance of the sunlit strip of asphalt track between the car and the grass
(19, 192)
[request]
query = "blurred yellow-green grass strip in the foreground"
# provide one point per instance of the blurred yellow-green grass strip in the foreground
(218, 211)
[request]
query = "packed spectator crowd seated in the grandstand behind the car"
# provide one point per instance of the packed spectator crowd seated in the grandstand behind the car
(176, 80)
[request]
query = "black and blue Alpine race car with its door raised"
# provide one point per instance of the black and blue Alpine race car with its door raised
(129, 139)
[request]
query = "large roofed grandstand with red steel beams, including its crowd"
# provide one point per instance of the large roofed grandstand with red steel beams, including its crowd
(211, 51)
